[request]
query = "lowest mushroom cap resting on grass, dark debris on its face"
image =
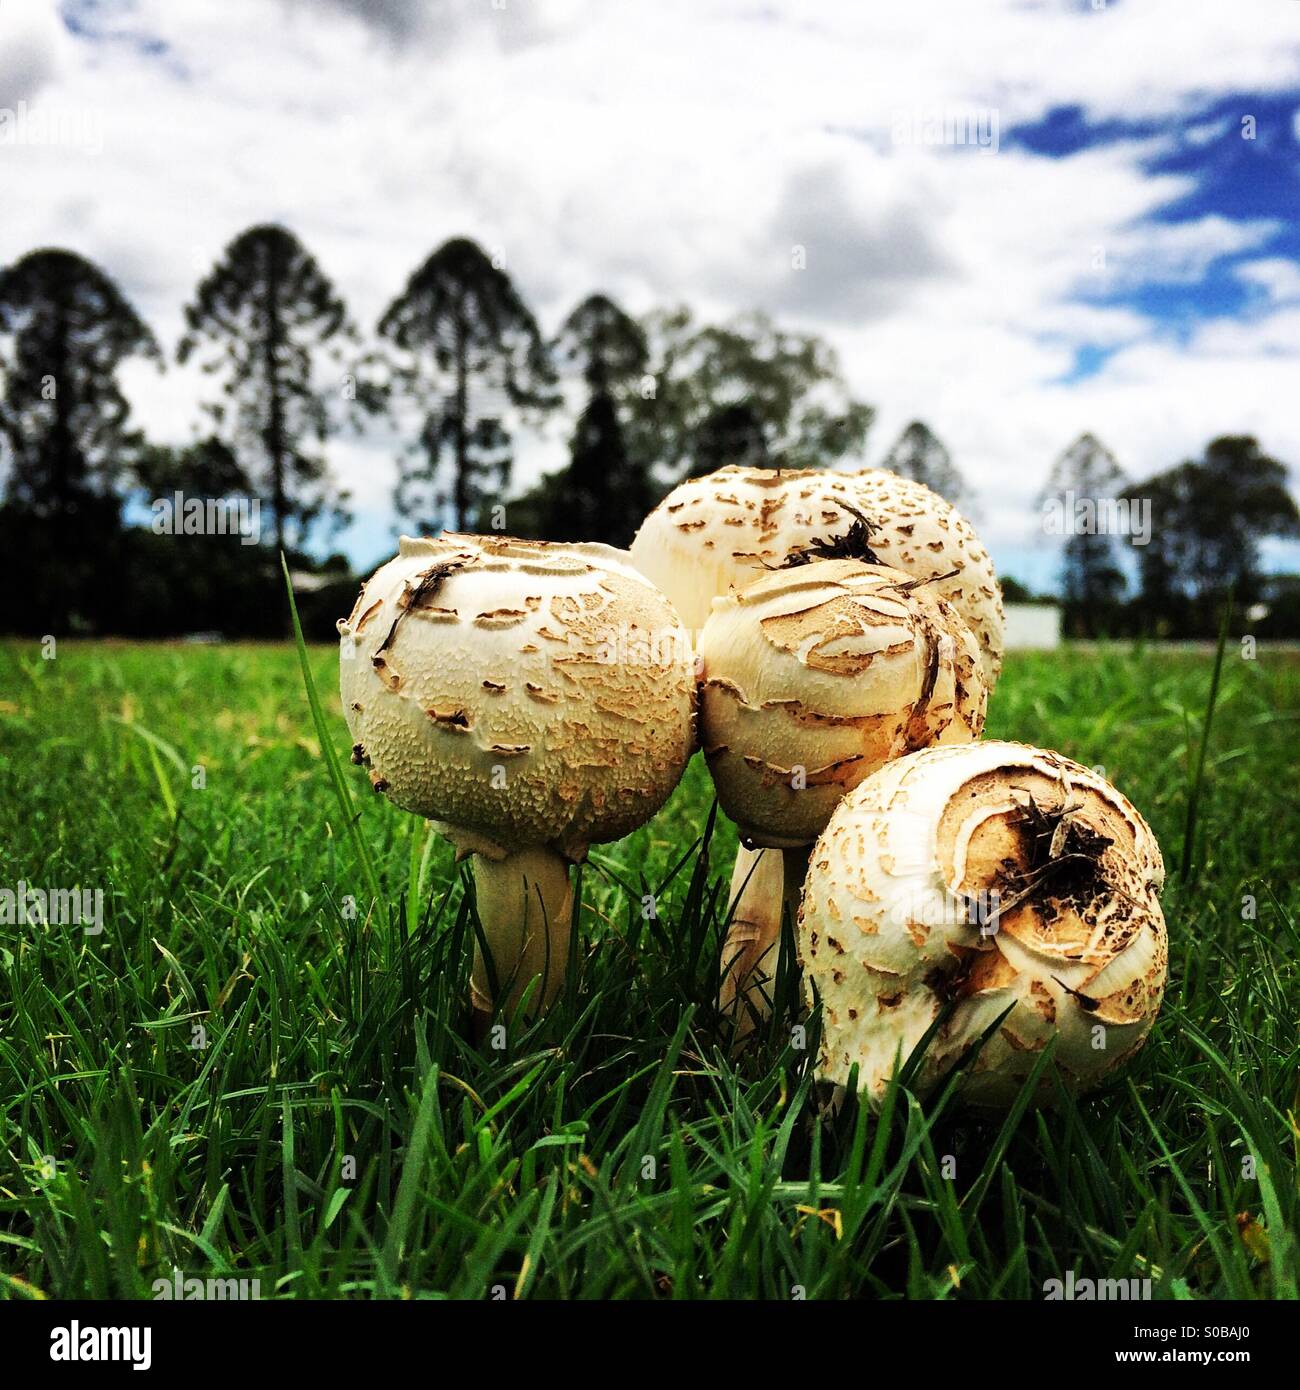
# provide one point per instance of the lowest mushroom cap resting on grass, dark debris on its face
(900, 917)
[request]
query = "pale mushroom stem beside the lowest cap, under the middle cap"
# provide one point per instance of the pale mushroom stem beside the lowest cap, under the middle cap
(764, 885)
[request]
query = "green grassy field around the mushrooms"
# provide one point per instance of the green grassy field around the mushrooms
(241, 1077)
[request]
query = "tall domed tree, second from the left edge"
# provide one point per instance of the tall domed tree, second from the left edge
(266, 316)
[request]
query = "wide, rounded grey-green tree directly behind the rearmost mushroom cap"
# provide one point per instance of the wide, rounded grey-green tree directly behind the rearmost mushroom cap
(743, 393)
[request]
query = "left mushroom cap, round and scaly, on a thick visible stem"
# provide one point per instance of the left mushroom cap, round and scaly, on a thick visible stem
(518, 693)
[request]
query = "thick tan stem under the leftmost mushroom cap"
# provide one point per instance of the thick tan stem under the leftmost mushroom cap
(526, 911)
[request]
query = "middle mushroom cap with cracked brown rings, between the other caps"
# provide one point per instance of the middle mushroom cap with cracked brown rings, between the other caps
(815, 676)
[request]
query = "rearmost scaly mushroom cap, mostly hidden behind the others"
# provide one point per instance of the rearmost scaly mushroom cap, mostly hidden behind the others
(711, 534)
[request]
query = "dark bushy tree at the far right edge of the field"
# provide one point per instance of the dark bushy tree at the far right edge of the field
(1209, 518)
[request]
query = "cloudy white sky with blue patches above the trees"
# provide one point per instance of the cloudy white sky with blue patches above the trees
(1106, 238)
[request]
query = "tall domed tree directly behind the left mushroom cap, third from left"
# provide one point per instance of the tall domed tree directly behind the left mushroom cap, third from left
(472, 354)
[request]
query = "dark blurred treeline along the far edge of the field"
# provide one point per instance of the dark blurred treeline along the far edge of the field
(104, 532)
